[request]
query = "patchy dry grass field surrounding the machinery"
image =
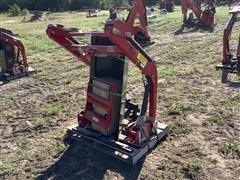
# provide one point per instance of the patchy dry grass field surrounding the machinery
(204, 142)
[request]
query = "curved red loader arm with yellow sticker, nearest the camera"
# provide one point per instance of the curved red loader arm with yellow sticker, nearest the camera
(139, 58)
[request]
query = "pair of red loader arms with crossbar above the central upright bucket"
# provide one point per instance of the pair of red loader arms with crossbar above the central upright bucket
(123, 44)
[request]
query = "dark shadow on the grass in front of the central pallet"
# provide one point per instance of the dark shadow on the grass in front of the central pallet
(82, 162)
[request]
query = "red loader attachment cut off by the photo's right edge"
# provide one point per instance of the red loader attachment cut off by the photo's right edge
(230, 63)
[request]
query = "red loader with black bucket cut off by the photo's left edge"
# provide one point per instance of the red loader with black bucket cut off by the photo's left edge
(13, 61)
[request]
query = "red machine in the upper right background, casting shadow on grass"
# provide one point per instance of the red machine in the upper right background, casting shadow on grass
(198, 16)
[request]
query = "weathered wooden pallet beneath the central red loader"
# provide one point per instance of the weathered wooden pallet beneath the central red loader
(120, 150)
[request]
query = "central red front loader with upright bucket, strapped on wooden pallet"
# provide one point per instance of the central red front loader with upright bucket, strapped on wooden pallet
(110, 122)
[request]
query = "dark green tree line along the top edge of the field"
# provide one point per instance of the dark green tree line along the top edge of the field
(62, 5)
